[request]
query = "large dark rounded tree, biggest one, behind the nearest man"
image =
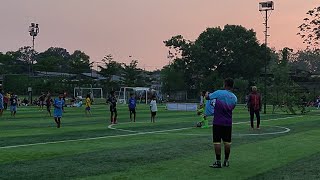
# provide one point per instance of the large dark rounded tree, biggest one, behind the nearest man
(232, 51)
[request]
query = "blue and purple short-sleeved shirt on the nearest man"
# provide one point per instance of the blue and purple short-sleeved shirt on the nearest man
(225, 102)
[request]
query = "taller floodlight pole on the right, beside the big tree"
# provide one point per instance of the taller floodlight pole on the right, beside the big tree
(266, 7)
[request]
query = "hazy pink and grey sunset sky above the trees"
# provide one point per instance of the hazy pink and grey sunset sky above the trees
(138, 28)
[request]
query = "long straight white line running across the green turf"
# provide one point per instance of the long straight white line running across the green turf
(115, 136)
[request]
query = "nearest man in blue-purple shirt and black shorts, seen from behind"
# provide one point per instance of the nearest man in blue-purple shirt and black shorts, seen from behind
(225, 102)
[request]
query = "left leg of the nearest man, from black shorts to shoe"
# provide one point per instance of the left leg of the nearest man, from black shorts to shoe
(216, 136)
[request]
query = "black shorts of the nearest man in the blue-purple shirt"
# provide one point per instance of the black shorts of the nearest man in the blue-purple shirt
(221, 132)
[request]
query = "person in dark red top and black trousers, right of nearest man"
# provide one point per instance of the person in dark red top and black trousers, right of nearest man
(254, 106)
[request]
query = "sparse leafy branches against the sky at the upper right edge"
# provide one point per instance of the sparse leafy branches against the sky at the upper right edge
(310, 29)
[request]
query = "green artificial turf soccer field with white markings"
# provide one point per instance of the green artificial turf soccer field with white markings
(31, 147)
